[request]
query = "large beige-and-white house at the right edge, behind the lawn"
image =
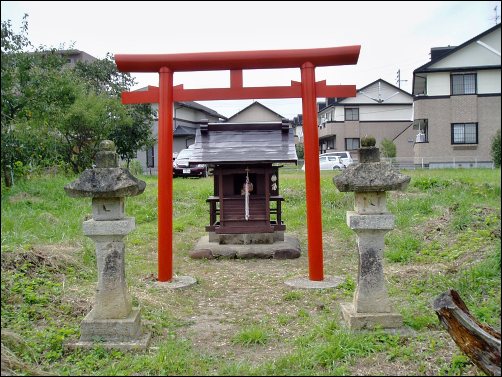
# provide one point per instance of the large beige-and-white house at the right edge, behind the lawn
(457, 103)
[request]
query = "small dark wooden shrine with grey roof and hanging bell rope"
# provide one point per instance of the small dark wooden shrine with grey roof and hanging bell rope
(245, 207)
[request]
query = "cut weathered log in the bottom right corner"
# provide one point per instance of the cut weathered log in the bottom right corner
(479, 342)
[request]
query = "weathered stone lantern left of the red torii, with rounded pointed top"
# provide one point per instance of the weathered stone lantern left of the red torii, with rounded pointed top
(113, 320)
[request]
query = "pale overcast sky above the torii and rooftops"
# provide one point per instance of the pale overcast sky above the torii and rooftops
(393, 35)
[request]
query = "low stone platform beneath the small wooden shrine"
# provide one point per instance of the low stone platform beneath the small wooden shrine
(289, 248)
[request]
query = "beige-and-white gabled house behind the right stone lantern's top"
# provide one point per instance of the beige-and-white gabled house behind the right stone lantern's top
(379, 109)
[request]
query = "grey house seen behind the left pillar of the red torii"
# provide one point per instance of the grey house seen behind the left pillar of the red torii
(186, 121)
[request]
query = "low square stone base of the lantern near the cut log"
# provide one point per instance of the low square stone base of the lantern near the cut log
(359, 321)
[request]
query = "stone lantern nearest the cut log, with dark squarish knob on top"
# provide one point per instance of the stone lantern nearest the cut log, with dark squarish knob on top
(369, 180)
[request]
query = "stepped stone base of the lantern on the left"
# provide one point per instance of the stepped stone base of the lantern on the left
(124, 334)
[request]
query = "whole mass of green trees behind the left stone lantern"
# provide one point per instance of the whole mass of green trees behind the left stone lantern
(53, 114)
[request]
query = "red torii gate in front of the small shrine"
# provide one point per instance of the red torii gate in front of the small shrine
(236, 61)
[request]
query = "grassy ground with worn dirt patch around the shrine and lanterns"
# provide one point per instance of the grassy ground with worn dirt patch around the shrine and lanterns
(447, 236)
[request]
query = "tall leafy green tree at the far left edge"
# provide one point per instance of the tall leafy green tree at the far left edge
(26, 94)
